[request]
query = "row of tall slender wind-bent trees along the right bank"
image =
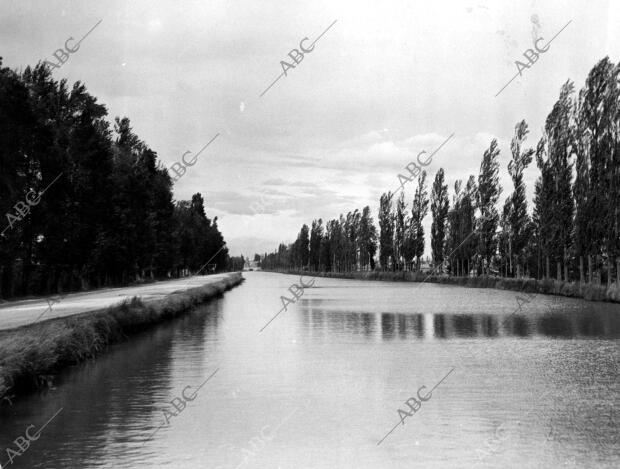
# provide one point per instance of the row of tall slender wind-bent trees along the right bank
(572, 234)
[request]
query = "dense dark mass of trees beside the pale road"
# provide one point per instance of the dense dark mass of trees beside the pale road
(86, 203)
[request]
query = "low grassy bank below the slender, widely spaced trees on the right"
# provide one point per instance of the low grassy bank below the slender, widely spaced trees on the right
(588, 292)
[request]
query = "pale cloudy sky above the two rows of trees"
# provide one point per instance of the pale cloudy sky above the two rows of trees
(384, 82)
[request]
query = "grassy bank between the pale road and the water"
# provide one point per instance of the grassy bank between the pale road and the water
(30, 356)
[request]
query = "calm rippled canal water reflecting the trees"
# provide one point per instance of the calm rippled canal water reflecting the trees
(354, 374)
